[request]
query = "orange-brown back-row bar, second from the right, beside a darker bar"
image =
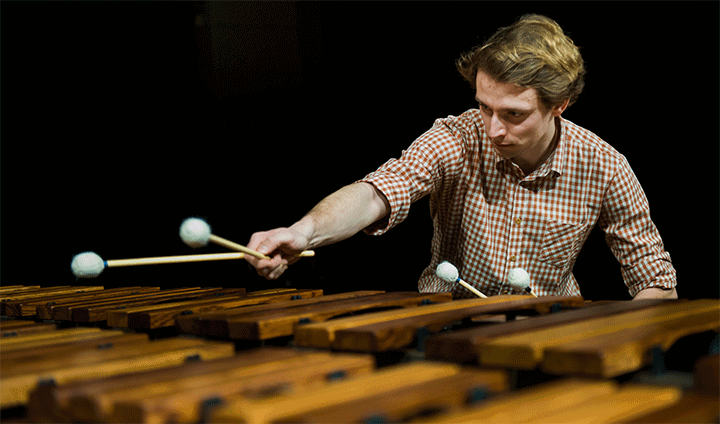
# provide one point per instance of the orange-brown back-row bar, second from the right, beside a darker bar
(526, 350)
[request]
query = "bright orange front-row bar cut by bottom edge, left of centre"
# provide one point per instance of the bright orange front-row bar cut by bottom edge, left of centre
(384, 381)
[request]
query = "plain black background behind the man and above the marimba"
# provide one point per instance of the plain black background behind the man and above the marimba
(119, 120)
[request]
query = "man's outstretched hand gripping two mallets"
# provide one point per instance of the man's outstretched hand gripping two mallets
(282, 245)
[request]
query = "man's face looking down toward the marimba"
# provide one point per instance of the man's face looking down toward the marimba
(520, 127)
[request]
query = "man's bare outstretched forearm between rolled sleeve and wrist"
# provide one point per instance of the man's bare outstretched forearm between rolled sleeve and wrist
(342, 214)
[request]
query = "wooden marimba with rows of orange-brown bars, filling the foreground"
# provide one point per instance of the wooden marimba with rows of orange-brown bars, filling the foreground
(142, 354)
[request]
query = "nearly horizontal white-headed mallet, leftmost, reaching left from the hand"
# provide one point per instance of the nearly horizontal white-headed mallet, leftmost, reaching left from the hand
(90, 264)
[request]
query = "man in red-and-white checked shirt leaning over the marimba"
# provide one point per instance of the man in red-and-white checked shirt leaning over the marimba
(511, 184)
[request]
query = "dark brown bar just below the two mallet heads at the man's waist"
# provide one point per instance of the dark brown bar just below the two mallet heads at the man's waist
(400, 333)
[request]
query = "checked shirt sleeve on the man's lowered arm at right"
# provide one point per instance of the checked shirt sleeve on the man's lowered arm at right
(632, 235)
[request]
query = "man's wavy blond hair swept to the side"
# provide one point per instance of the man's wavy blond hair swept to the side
(534, 52)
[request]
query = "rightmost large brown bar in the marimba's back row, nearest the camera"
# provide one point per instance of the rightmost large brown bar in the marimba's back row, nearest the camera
(610, 355)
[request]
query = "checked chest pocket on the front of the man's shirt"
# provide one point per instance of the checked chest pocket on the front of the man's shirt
(561, 243)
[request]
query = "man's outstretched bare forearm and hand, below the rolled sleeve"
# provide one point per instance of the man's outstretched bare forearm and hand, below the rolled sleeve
(337, 217)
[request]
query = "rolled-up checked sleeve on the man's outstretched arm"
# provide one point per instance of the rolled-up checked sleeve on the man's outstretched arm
(429, 162)
